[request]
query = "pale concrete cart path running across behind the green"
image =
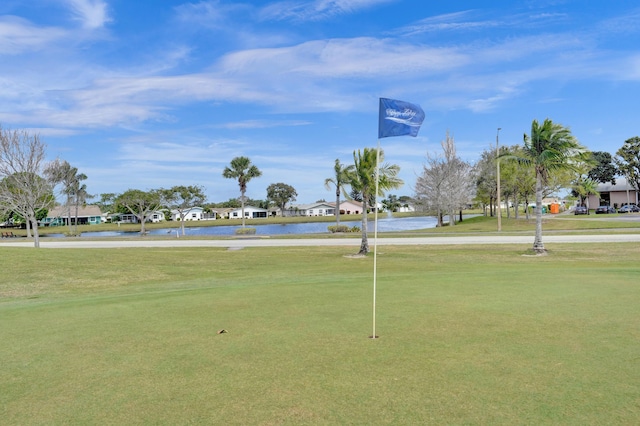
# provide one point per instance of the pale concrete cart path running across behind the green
(298, 242)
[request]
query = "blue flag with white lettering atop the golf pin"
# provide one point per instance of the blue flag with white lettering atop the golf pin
(398, 118)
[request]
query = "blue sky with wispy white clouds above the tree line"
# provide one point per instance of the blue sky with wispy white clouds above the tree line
(155, 93)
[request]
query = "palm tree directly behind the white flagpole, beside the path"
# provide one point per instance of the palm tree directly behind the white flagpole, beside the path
(362, 179)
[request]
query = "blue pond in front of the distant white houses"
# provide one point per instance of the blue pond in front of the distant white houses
(384, 225)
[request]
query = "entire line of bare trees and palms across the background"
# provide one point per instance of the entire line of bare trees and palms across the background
(549, 159)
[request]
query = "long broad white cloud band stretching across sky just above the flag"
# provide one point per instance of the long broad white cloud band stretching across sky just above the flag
(311, 77)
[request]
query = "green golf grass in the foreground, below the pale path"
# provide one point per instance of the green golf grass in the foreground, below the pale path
(468, 335)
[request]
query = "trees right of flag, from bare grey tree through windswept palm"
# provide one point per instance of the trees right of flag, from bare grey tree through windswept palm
(549, 156)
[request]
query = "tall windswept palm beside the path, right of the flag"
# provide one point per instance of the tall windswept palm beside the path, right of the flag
(550, 148)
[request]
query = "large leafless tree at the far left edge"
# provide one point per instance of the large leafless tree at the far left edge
(22, 188)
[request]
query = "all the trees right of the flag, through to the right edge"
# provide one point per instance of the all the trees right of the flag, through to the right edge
(550, 159)
